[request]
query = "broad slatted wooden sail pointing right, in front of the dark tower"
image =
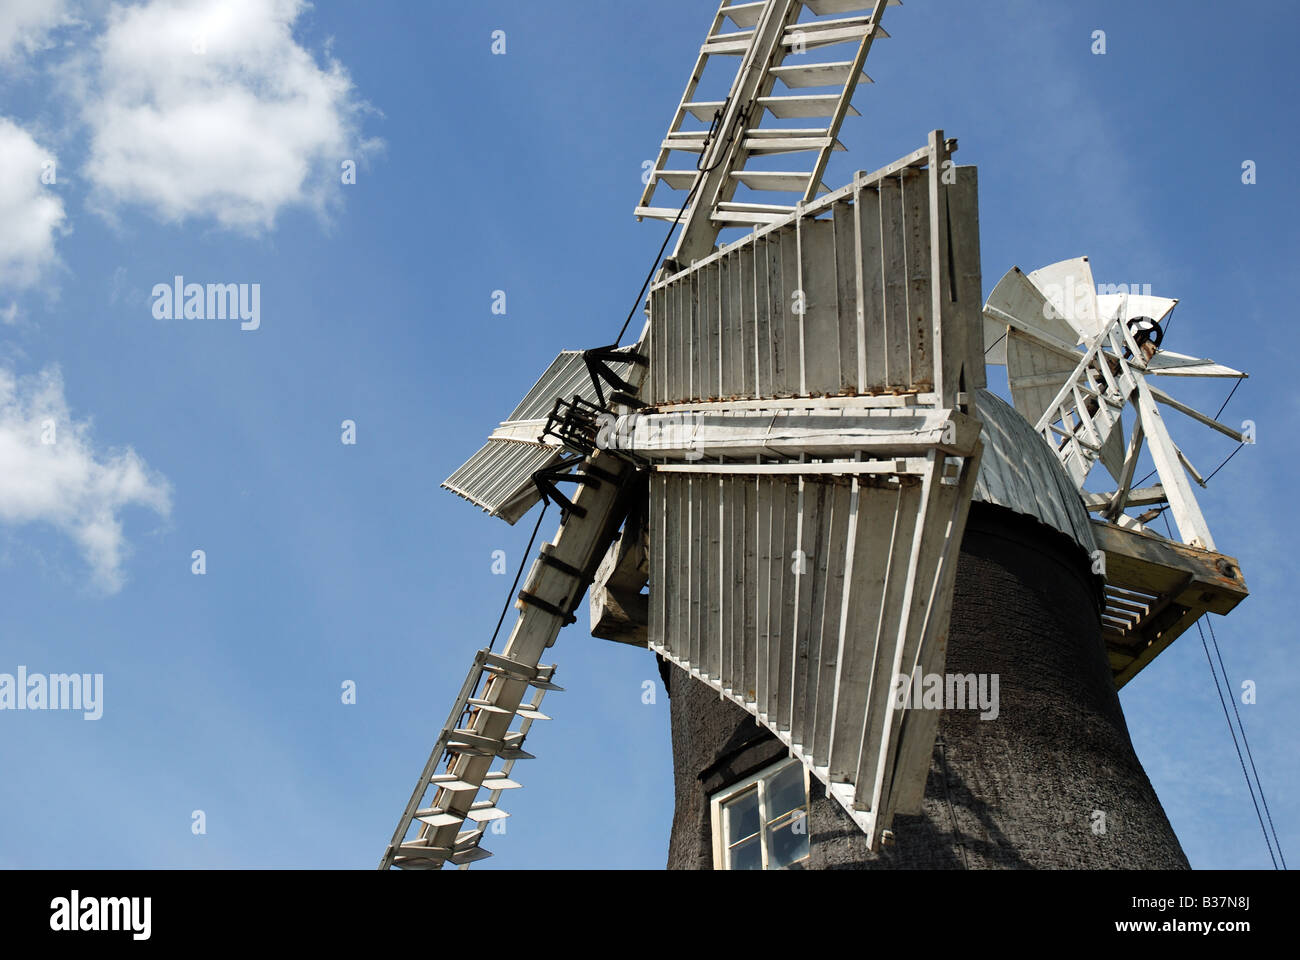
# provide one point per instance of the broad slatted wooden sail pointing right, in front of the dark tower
(813, 451)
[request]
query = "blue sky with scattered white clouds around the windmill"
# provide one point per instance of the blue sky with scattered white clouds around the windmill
(380, 174)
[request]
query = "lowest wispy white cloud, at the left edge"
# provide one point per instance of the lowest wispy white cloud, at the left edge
(67, 483)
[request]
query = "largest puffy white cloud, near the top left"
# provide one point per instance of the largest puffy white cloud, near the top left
(210, 109)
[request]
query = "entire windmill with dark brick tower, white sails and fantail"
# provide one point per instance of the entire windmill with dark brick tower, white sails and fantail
(795, 490)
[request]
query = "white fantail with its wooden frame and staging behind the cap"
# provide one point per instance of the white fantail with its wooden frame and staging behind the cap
(1077, 362)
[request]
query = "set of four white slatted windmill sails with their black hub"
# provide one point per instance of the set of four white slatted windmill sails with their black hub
(831, 397)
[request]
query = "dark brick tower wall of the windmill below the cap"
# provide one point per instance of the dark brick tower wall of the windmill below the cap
(1020, 790)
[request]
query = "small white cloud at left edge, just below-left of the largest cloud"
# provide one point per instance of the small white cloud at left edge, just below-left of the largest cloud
(29, 211)
